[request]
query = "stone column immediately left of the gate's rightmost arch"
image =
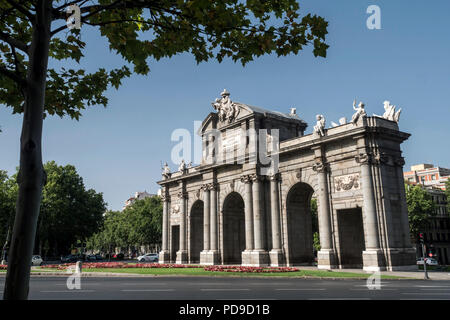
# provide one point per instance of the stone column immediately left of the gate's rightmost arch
(276, 254)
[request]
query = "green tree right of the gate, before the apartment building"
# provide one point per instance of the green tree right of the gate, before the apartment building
(420, 208)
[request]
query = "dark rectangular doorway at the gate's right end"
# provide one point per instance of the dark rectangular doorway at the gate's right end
(351, 237)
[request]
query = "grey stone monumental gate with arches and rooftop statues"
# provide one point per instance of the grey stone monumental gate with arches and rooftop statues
(234, 208)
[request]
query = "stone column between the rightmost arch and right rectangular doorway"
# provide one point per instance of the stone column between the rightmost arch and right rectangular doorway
(326, 256)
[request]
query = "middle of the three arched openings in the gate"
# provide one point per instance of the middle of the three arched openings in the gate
(233, 228)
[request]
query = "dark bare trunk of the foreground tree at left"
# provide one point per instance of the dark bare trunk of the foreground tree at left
(31, 176)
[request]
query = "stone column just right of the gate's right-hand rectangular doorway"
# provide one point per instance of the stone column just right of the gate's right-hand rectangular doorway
(372, 256)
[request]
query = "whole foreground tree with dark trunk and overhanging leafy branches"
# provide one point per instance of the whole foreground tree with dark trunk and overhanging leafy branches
(31, 32)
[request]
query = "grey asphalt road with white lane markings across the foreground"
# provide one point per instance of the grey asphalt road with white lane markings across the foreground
(206, 288)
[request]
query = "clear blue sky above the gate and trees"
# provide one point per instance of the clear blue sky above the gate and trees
(118, 150)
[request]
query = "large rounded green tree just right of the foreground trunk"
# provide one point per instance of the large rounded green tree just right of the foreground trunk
(68, 212)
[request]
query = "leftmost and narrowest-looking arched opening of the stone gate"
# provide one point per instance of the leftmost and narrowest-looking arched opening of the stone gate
(196, 231)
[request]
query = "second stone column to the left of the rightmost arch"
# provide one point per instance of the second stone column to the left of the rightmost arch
(260, 255)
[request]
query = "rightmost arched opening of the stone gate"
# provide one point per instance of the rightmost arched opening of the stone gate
(299, 224)
